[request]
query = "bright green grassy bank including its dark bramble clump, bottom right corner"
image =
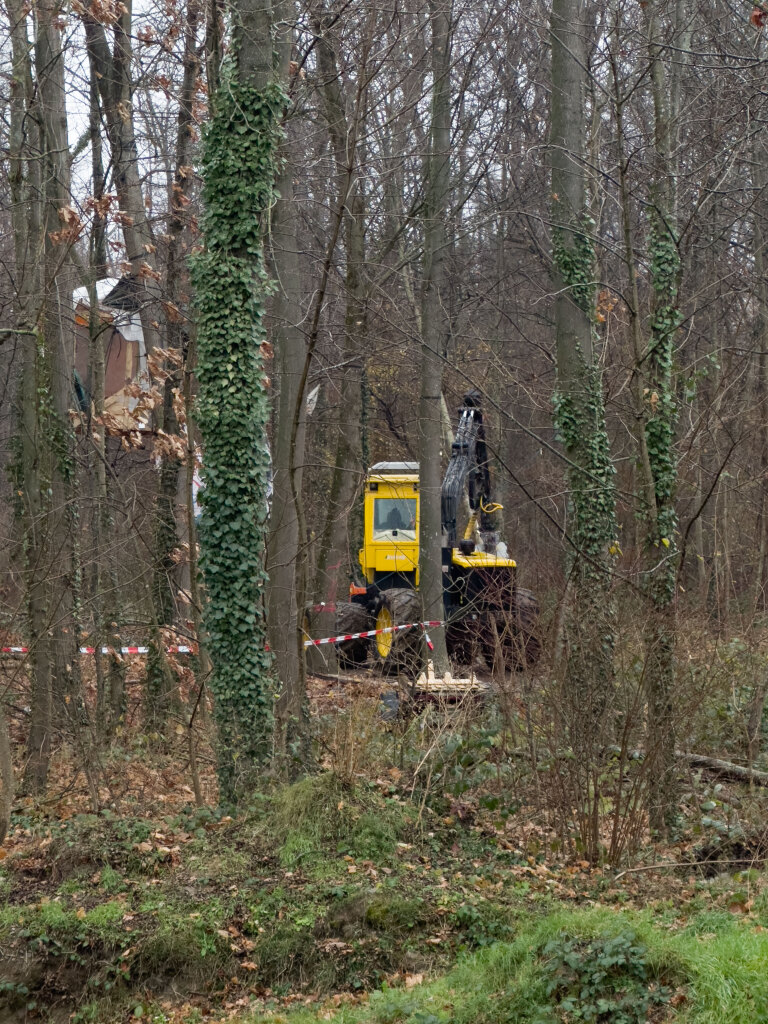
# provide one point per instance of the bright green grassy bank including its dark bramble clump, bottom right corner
(585, 966)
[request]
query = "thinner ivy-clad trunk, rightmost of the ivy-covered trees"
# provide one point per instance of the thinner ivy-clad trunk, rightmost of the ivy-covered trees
(660, 415)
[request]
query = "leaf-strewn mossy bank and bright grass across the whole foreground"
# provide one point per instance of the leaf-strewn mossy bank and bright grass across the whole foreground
(323, 889)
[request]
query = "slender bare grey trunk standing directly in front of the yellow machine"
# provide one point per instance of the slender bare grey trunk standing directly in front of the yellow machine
(434, 330)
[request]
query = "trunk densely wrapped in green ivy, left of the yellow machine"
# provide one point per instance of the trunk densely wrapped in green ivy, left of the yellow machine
(231, 286)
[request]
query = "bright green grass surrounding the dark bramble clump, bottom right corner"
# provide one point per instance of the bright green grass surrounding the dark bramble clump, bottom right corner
(720, 977)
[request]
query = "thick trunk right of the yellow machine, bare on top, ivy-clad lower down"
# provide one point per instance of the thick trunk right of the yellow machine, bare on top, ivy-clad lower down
(580, 413)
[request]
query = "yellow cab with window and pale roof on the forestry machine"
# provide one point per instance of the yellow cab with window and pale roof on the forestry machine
(391, 552)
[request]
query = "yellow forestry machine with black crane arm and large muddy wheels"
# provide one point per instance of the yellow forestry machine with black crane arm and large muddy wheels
(487, 614)
